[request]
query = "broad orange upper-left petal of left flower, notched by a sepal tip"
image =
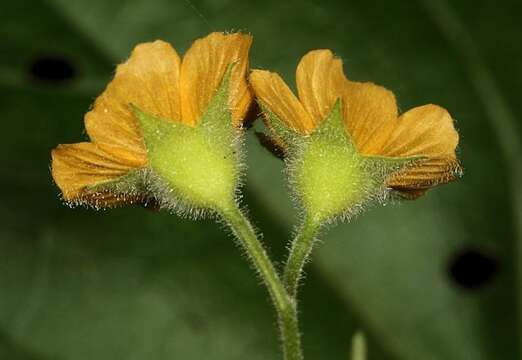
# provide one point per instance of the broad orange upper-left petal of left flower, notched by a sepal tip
(150, 80)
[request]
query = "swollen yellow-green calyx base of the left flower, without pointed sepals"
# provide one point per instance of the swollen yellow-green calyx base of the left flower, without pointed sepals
(199, 170)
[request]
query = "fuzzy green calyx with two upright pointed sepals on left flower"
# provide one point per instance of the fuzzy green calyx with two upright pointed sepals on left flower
(194, 169)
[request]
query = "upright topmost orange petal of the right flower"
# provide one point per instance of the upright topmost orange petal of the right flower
(320, 82)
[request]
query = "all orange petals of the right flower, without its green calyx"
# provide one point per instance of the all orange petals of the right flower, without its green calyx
(371, 119)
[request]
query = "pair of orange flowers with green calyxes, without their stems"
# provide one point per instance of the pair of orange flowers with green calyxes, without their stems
(168, 130)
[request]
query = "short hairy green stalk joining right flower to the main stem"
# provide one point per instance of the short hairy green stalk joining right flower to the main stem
(299, 253)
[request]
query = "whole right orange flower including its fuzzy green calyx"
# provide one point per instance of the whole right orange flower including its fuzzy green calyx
(346, 141)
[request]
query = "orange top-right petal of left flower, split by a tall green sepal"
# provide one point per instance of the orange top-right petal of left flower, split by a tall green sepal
(202, 71)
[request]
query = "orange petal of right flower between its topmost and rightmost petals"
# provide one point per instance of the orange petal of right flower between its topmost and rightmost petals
(369, 111)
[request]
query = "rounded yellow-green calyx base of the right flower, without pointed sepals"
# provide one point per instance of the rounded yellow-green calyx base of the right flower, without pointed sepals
(331, 180)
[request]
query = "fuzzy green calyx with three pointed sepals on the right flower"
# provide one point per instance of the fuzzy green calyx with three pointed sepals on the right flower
(331, 179)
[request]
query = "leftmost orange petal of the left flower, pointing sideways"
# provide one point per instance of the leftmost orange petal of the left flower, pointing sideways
(76, 167)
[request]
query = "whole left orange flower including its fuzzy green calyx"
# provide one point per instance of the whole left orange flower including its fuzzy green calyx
(151, 125)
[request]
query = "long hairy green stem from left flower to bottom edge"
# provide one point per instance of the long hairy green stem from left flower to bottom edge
(284, 304)
